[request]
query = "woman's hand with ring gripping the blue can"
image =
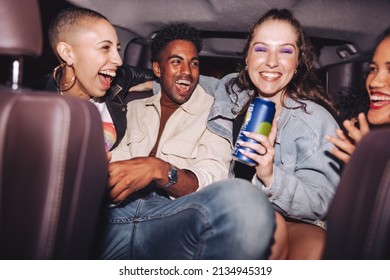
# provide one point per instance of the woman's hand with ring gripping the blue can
(265, 152)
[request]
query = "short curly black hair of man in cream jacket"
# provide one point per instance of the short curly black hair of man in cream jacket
(179, 31)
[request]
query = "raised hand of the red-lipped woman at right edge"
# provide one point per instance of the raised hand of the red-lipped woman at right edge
(346, 144)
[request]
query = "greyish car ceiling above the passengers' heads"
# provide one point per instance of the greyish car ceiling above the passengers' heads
(352, 21)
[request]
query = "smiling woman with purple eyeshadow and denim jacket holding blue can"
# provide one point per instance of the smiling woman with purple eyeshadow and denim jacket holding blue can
(294, 166)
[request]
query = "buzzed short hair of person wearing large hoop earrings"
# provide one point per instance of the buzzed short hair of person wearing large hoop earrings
(69, 21)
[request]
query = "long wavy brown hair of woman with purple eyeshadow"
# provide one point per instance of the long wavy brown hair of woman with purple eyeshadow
(305, 85)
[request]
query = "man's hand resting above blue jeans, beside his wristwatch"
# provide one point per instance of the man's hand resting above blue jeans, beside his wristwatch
(129, 176)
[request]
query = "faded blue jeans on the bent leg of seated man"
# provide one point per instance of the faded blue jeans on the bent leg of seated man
(230, 219)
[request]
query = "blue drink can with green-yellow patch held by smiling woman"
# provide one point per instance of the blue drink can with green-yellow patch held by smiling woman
(258, 119)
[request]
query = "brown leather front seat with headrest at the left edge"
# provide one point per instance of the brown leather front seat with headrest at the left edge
(53, 165)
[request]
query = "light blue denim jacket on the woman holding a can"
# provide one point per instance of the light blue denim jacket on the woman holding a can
(305, 174)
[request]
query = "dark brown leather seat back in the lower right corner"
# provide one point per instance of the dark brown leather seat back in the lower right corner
(359, 215)
